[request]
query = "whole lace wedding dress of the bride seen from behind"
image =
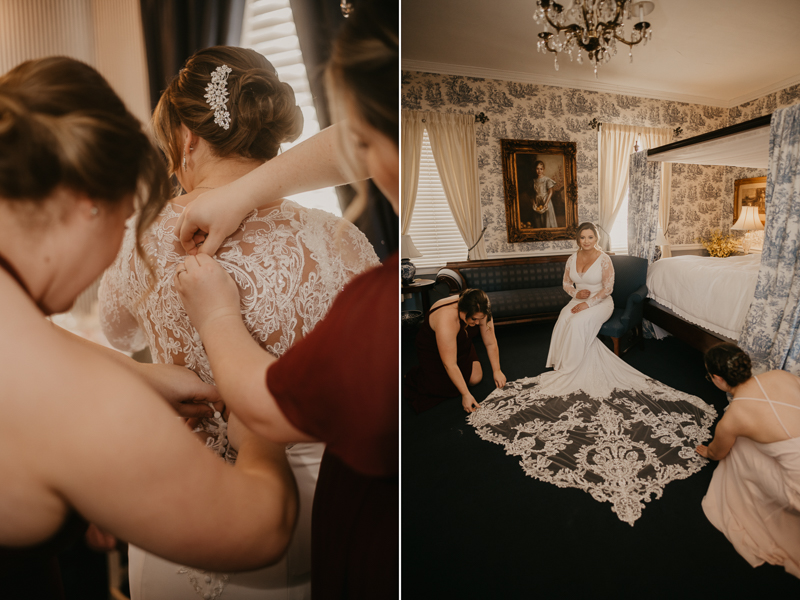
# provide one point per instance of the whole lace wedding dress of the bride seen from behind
(289, 263)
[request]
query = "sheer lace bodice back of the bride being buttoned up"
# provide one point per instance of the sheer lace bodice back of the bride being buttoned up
(289, 263)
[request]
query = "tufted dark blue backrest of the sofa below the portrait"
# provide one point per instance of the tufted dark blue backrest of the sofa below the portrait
(514, 277)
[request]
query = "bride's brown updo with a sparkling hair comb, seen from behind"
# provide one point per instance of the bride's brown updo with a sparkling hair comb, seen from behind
(263, 111)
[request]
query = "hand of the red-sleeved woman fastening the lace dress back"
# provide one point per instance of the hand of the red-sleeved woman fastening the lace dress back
(207, 291)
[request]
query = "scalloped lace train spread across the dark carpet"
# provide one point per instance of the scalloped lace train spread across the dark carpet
(622, 448)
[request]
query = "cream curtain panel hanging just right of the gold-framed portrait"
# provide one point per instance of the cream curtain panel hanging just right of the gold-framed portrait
(616, 146)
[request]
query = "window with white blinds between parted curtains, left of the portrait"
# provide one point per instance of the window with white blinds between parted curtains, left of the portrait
(433, 228)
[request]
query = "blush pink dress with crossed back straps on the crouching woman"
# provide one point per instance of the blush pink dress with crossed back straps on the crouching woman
(754, 496)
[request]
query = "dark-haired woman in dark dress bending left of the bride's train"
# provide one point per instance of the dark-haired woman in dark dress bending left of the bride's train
(448, 362)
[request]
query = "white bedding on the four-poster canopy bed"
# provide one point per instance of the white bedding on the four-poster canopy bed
(714, 293)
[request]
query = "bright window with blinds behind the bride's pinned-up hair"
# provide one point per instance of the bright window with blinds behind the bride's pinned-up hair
(269, 29)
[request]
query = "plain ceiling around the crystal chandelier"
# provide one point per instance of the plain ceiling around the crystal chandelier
(714, 52)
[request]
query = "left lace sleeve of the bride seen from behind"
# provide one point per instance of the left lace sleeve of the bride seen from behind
(117, 322)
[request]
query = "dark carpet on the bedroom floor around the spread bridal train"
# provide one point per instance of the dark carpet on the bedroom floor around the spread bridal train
(475, 526)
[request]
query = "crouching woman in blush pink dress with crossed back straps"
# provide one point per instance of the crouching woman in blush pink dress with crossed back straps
(754, 496)
